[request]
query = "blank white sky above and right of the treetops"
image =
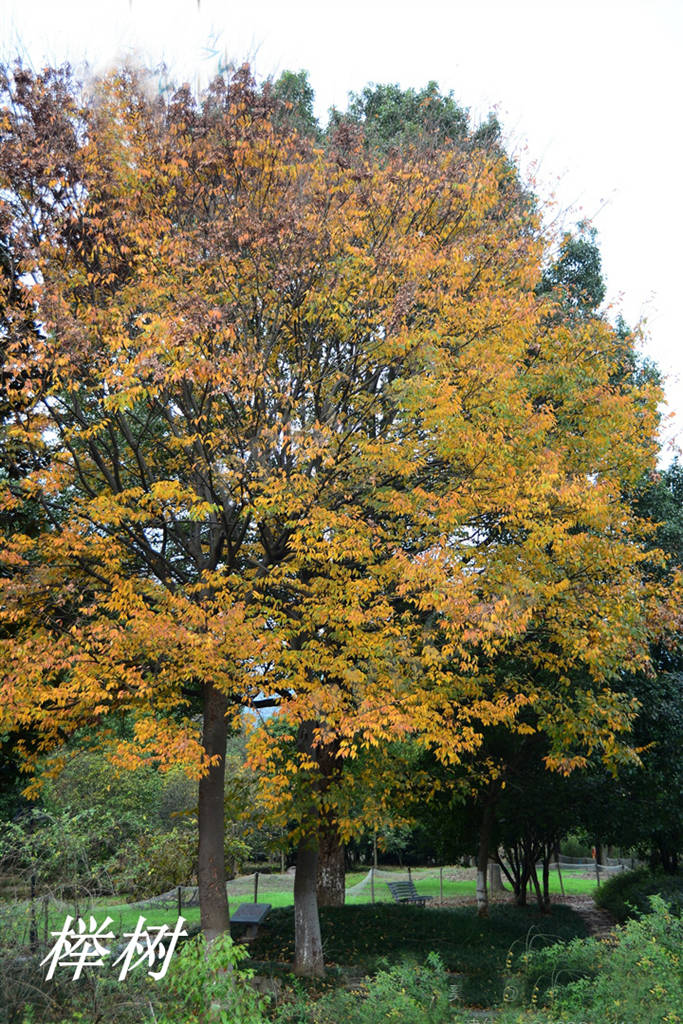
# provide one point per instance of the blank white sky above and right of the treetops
(589, 90)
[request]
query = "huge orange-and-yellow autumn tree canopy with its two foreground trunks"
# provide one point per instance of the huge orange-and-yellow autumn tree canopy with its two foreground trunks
(308, 426)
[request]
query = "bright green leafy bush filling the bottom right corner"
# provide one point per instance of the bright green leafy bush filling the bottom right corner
(634, 976)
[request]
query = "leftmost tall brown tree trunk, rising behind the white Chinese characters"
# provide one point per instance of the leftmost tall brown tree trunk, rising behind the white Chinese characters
(211, 871)
